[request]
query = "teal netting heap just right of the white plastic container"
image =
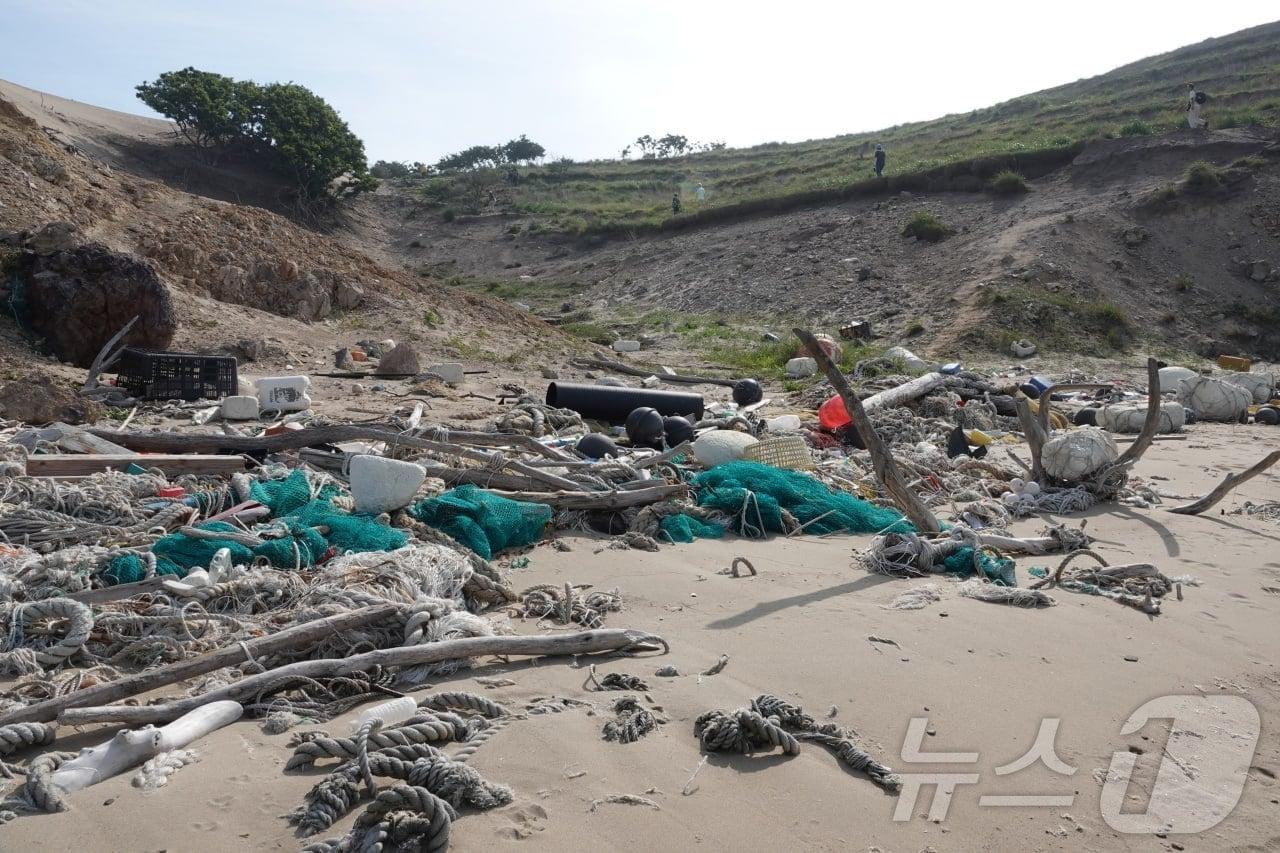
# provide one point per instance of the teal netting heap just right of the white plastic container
(484, 522)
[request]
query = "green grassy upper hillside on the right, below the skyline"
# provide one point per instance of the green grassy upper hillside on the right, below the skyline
(1241, 72)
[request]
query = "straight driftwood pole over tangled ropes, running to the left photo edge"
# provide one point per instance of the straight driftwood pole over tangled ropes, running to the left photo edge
(290, 640)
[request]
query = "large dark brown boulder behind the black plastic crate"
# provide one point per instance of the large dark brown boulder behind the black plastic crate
(77, 299)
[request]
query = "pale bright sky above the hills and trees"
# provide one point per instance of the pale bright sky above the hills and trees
(418, 80)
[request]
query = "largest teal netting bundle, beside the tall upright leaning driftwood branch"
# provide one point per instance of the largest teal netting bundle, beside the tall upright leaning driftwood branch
(755, 496)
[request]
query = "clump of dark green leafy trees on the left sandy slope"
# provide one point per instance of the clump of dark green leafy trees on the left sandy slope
(287, 126)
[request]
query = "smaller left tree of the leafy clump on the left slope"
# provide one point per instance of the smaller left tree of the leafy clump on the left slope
(211, 111)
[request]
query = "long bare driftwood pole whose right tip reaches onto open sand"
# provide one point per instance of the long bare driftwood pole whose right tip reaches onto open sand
(606, 640)
